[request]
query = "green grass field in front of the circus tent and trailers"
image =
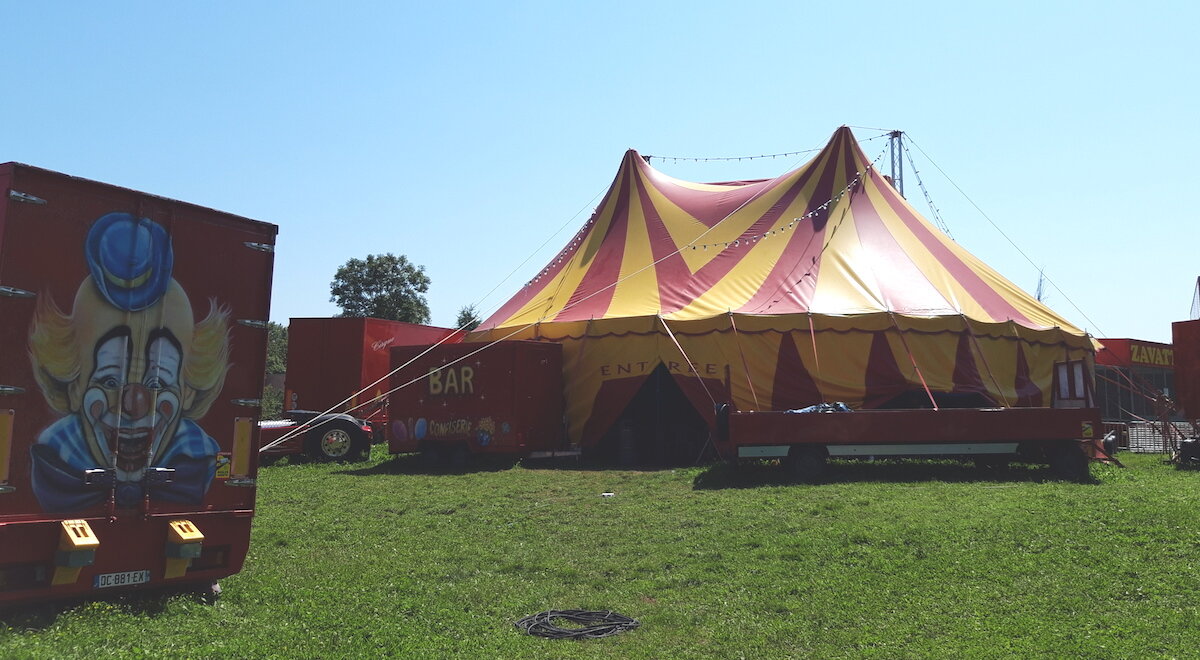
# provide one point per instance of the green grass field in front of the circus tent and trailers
(893, 560)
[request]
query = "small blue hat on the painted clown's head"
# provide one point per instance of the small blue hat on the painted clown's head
(130, 260)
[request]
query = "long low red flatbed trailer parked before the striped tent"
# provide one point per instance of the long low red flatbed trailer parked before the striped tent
(806, 440)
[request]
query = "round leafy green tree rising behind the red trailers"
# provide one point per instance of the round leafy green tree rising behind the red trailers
(382, 286)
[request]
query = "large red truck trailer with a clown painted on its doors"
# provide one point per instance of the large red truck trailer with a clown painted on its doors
(136, 339)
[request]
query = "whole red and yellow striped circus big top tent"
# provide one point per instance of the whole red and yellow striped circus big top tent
(821, 285)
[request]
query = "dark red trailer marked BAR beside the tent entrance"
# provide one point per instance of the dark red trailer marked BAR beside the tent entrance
(459, 400)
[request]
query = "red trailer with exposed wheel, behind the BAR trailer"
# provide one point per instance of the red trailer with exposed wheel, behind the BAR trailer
(331, 361)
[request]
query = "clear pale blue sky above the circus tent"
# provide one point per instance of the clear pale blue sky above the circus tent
(465, 136)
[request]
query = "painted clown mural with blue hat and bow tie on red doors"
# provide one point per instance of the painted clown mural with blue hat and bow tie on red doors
(130, 370)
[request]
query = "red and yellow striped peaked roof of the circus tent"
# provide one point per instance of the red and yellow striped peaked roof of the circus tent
(830, 238)
